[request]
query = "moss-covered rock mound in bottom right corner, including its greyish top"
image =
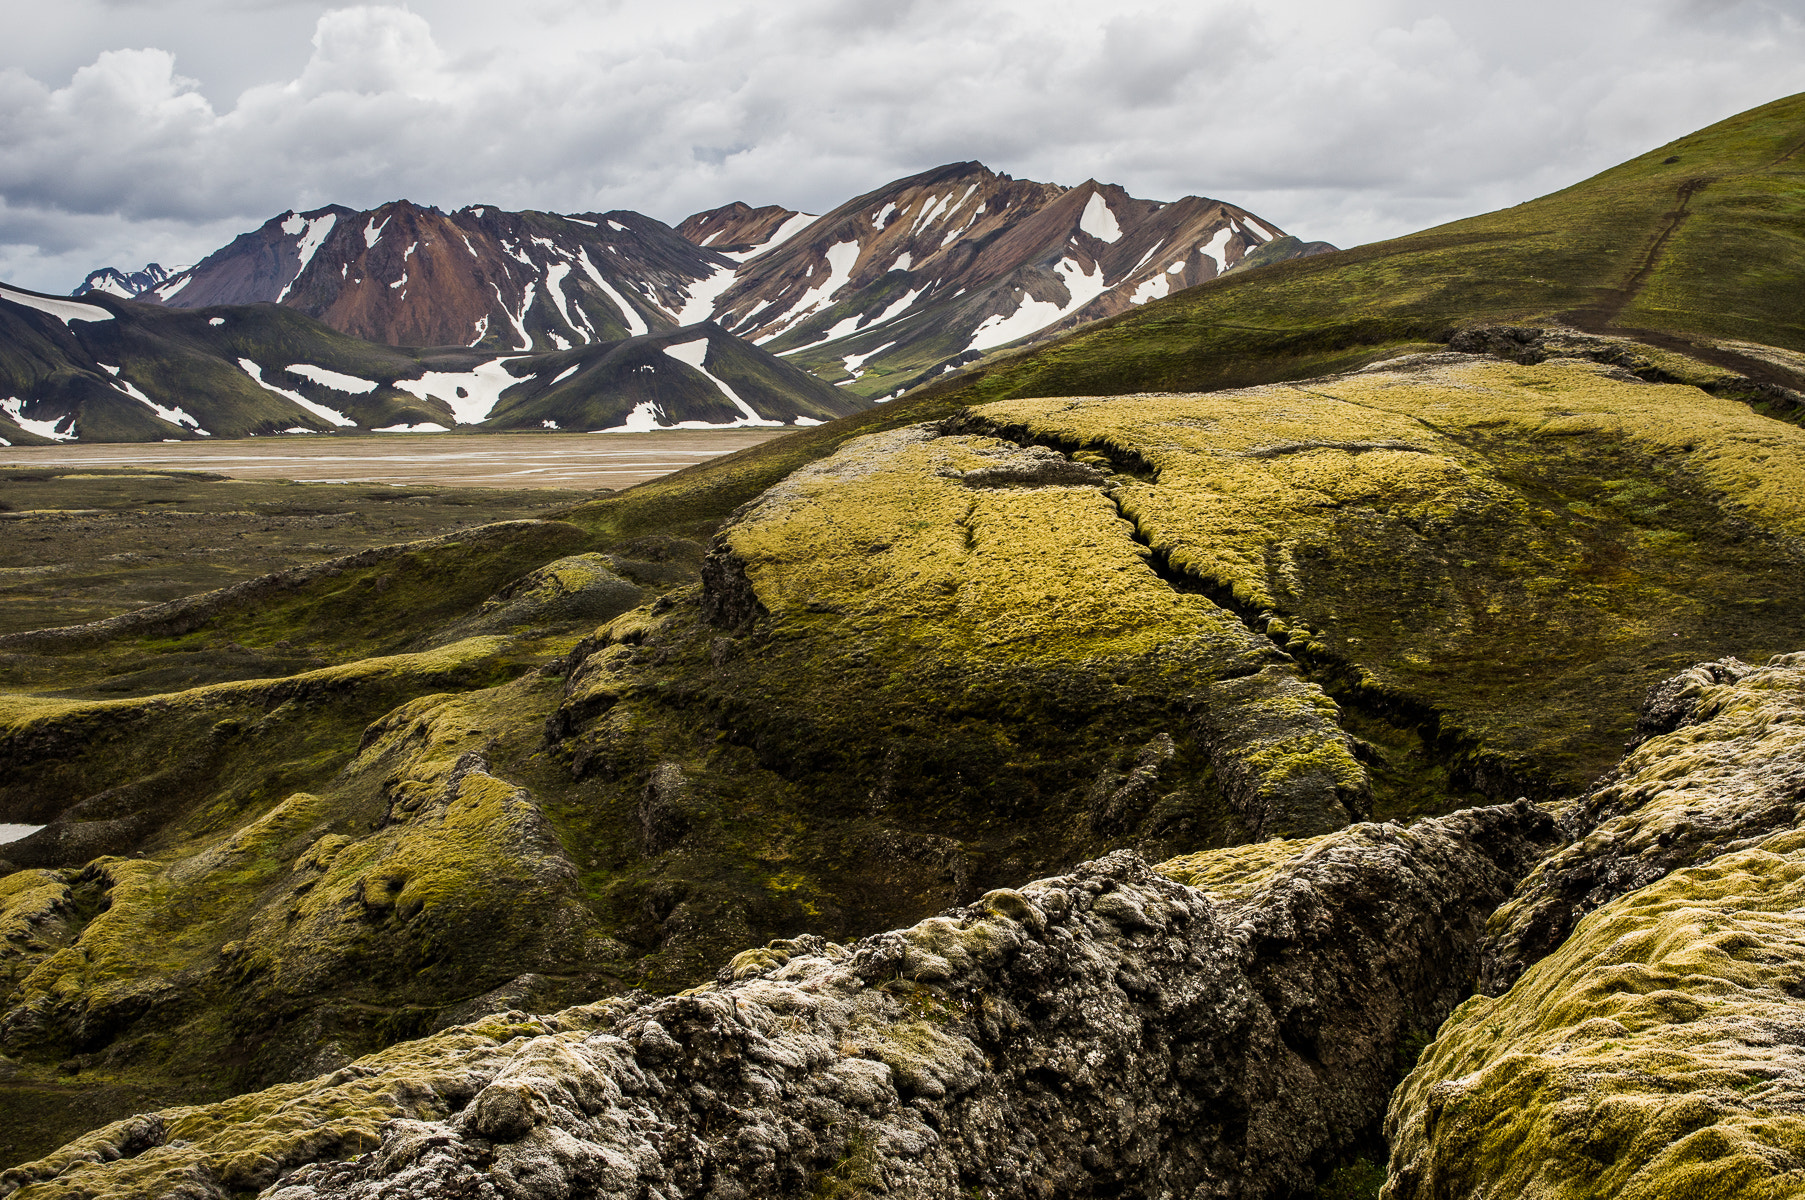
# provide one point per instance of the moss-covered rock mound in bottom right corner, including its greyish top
(1651, 1049)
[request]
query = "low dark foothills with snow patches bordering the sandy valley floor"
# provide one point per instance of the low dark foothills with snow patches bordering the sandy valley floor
(107, 371)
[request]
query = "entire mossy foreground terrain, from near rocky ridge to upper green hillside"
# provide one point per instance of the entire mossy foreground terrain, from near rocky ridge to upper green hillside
(1302, 642)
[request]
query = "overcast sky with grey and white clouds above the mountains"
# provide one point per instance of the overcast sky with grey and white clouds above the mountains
(138, 131)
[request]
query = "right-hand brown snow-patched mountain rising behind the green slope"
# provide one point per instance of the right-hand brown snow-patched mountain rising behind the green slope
(932, 272)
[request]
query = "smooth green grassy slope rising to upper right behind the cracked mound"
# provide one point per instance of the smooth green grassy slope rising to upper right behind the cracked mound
(1618, 252)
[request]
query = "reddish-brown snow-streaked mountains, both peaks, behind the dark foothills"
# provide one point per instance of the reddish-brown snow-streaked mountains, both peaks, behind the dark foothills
(914, 279)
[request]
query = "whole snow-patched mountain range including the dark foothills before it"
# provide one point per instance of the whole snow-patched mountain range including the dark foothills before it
(533, 320)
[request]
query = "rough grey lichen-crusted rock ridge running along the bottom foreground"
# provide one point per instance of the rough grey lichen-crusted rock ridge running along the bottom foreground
(1102, 1033)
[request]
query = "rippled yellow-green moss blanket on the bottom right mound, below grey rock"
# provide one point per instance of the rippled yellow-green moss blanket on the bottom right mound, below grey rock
(1651, 1058)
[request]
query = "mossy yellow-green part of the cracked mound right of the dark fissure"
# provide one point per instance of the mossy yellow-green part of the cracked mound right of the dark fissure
(1512, 555)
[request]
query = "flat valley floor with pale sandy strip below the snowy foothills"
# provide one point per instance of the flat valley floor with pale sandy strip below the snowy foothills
(95, 531)
